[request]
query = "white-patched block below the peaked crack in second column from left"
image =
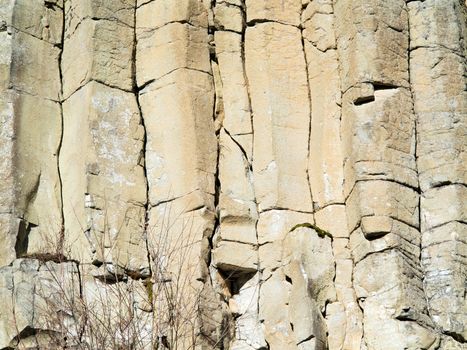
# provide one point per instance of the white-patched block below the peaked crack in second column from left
(103, 178)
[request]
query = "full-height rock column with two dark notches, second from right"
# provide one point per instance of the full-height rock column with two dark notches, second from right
(381, 185)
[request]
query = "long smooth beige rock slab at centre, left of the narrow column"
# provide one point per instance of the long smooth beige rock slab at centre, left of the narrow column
(279, 97)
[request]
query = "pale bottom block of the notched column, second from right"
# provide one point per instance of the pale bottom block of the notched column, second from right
(393, 298)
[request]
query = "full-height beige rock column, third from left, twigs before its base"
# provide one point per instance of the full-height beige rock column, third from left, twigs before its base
(176, 93)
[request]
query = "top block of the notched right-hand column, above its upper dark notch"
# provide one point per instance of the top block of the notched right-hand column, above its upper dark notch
(372, 40)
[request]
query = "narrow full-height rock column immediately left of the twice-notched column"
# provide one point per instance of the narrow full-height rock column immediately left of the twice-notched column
(325, 167)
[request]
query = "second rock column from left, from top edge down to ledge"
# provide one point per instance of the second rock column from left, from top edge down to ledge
(101, 159)
